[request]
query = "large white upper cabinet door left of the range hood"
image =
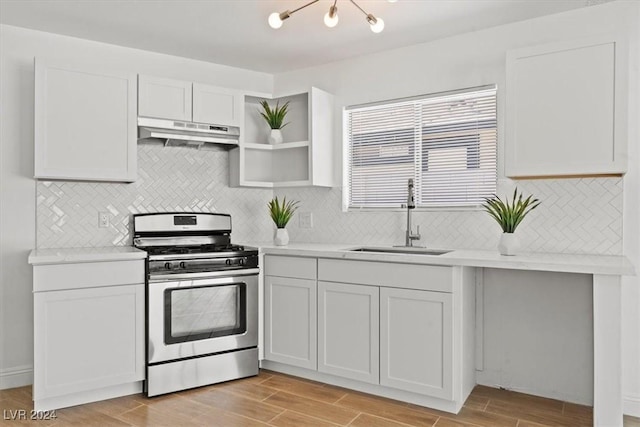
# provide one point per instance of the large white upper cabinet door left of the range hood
(85, 123)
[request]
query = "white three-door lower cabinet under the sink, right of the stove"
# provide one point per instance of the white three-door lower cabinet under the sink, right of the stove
(402, 331)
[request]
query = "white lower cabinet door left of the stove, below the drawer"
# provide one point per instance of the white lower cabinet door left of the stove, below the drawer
(86, 339)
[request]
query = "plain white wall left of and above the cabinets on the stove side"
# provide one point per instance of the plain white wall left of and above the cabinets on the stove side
(18, 47)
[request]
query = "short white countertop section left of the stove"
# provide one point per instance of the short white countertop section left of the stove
(76, 255)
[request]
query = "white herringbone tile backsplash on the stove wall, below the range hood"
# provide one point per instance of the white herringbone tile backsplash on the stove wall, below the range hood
(169, 179)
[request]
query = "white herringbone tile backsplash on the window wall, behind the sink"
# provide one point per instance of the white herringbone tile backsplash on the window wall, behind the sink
(576, 216)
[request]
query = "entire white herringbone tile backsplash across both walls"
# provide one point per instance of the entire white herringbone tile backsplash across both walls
(576, 215)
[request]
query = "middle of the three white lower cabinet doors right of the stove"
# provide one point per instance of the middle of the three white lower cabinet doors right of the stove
(348, 331)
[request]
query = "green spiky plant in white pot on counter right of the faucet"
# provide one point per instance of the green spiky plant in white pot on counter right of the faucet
(509, 216)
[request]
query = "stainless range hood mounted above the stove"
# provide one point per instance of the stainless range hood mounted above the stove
(174, 132)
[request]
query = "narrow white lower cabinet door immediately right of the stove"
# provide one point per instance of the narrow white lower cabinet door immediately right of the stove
(290, 321)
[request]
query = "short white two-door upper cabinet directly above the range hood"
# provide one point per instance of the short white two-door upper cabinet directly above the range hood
(186, 101)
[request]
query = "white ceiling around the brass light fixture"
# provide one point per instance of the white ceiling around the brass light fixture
(236, 33)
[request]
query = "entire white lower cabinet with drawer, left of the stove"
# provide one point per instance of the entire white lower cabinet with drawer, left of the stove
(88, 338)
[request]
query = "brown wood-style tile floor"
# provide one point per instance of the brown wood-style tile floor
(273, 399)
